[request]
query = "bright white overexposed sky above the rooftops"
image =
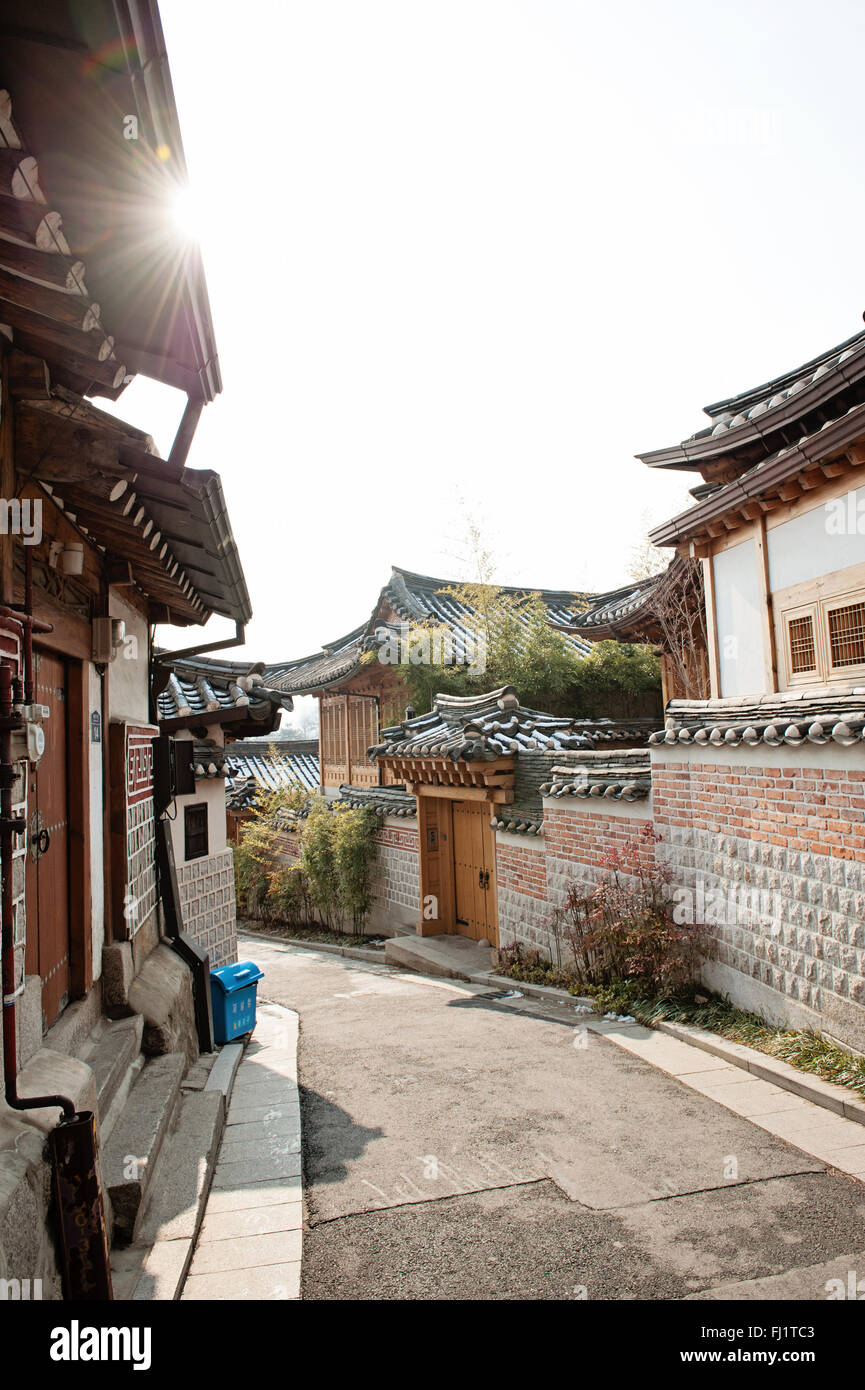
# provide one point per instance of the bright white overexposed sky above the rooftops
(486, 251)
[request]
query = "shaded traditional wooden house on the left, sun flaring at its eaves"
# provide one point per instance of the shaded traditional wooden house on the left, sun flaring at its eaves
(101, 540)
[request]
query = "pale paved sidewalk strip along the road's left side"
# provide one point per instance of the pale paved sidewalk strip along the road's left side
(251, 1241)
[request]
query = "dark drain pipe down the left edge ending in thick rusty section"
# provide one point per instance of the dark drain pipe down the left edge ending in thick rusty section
(73, 1143)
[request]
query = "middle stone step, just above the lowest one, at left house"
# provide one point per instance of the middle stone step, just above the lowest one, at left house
(134, 1147)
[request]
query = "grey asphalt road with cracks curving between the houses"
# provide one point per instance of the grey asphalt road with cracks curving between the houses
(458, 1146)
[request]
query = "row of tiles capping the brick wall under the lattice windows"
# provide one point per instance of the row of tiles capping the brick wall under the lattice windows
(791, 719)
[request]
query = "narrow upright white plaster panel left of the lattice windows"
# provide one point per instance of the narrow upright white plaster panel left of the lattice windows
(741, 639)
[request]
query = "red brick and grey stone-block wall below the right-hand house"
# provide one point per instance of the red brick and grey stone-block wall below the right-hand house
(768, 849)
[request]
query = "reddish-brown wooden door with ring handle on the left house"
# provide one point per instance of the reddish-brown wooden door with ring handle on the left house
(48, 846)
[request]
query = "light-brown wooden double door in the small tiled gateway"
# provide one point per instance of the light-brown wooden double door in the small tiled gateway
(458, 868)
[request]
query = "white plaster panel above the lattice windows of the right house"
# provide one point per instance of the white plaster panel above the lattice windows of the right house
(828, 539)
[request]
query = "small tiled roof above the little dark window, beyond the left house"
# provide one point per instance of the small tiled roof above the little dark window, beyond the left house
(204, 687)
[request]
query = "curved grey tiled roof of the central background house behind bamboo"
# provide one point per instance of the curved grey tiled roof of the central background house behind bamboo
(414, 598)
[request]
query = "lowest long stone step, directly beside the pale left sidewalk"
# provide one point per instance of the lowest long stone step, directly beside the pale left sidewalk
(176, 1209)
